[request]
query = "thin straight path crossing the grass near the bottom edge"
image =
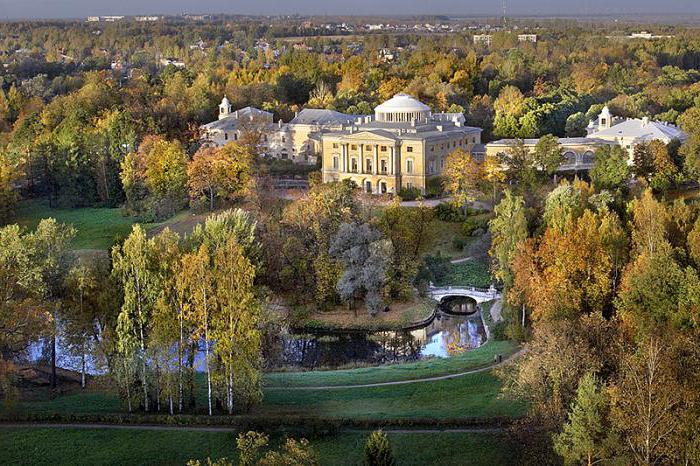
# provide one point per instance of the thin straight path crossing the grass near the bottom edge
(152, 427)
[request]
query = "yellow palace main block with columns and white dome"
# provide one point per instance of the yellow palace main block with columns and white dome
(403, 145)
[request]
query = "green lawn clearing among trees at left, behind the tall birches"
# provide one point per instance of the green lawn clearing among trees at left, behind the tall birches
(98, 227)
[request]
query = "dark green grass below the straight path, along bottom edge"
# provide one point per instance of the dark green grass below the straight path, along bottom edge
(50, 446)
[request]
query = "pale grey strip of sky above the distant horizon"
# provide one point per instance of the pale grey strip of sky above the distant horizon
(12, 9)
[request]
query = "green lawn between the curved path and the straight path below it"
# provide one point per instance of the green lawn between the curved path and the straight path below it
(474, 395)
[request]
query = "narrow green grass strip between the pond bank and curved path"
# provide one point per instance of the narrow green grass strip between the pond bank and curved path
(472, 359)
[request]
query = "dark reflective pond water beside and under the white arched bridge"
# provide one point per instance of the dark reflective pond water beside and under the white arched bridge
(457, 327)
